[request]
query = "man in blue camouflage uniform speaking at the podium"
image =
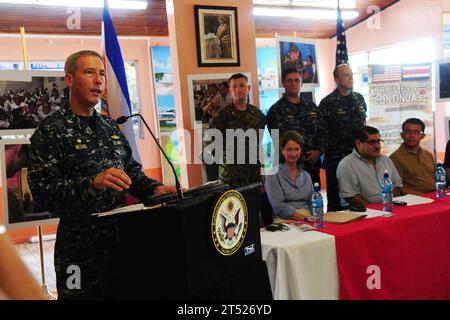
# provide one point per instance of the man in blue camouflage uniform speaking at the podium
(81, 163)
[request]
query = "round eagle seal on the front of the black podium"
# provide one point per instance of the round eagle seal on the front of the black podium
(229, 222)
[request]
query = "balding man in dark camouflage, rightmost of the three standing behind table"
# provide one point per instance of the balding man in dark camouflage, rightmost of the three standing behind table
(343, 112)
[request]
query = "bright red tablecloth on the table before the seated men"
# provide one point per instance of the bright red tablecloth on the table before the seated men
(406, 256)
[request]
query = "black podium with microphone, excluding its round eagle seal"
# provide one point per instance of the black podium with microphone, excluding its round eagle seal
(168, 252)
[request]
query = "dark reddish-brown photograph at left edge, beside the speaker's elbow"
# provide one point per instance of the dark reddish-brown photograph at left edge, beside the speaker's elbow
(18, 202)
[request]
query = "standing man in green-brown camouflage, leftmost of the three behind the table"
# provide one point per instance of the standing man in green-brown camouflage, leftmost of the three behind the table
(240, 115)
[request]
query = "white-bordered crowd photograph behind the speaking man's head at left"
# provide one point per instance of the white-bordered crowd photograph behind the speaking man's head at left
(22, 120)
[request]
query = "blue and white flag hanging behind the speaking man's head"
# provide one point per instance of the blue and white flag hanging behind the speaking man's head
(118, 98)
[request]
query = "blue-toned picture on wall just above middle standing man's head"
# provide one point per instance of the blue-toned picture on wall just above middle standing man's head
(299, 54)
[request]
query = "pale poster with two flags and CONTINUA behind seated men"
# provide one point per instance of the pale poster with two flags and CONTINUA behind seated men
(396, 93)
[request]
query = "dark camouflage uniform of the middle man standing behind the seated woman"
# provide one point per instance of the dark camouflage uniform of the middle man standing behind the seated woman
(304, 118)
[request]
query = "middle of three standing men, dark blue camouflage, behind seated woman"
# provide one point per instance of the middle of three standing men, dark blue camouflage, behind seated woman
(302, 115)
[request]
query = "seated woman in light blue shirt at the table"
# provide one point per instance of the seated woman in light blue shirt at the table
(291, 188)
